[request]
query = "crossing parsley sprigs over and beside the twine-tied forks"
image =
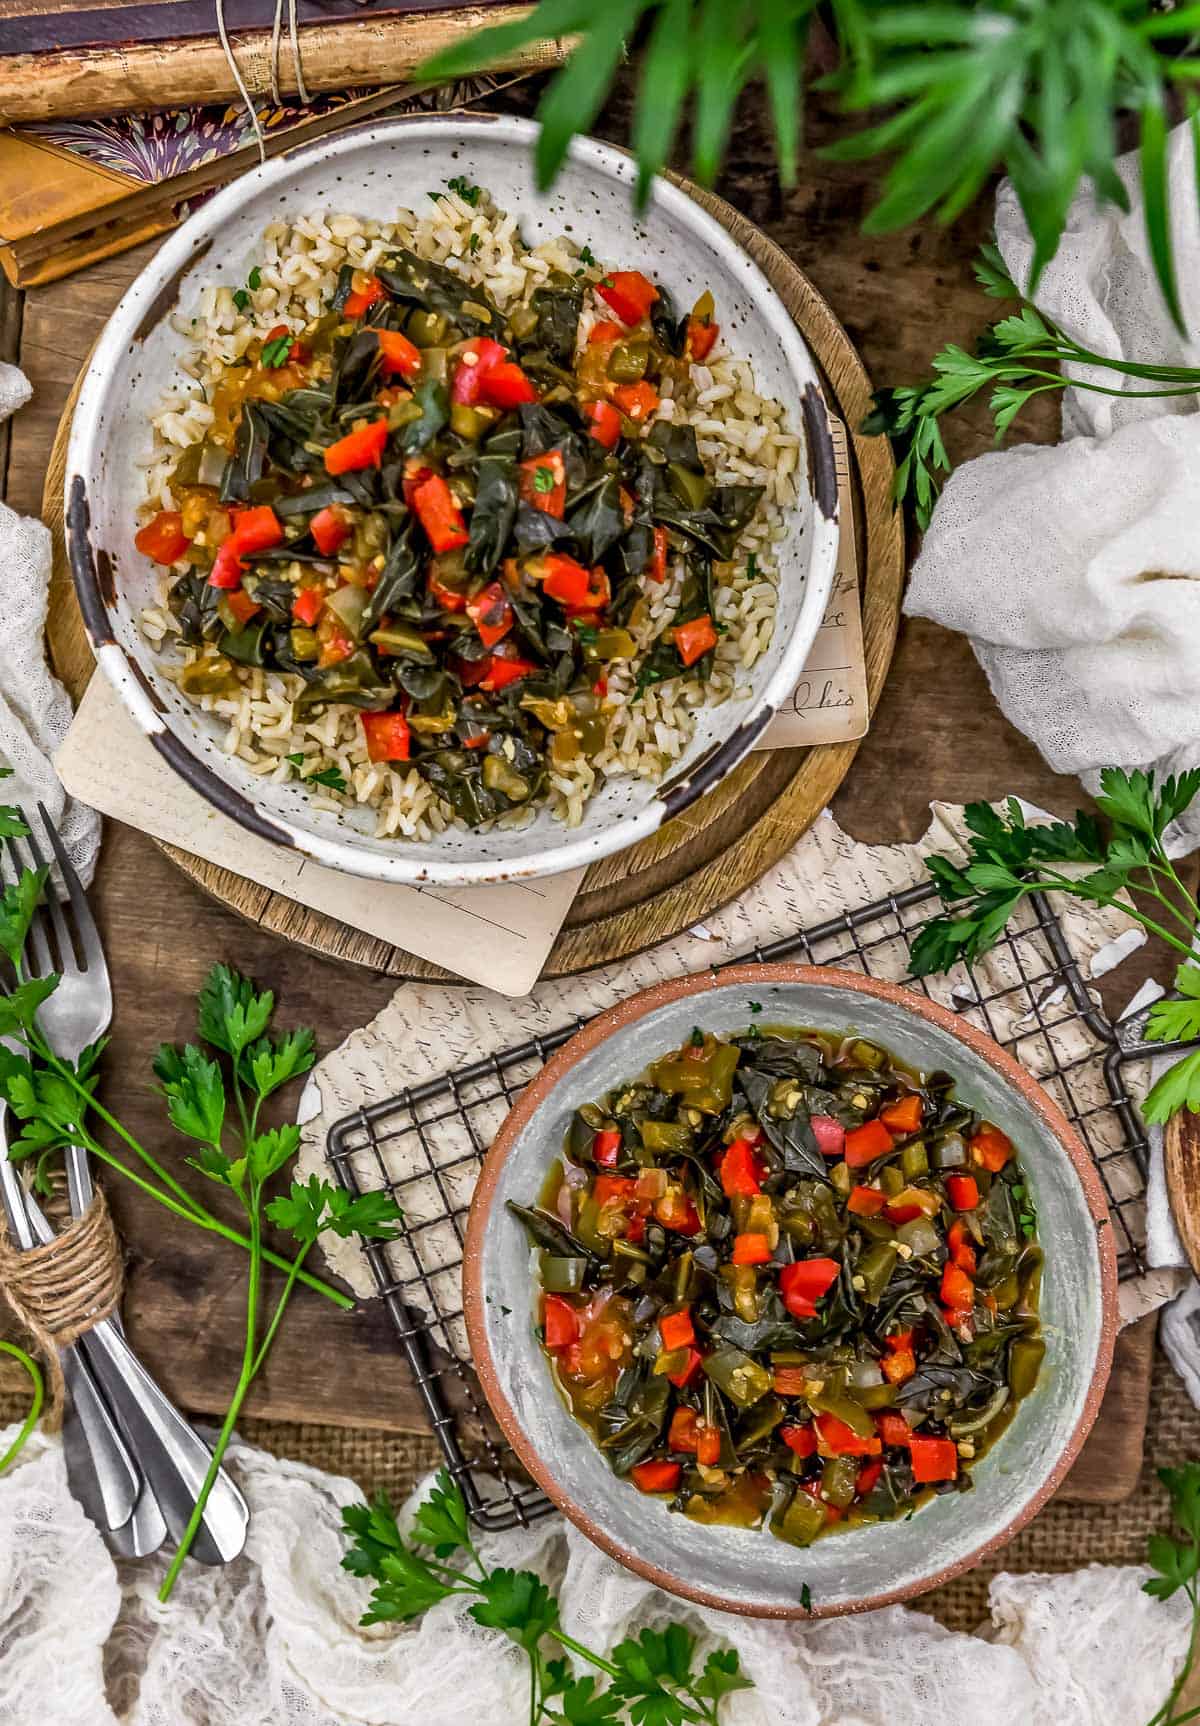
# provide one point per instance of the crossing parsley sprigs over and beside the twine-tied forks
(215, 1095)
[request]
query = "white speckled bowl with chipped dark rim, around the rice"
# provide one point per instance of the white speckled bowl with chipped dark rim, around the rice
(372, 172)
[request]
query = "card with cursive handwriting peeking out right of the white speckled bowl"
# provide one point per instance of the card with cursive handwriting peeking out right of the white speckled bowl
(831, 703)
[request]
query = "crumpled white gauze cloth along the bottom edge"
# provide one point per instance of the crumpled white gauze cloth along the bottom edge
(274, 1641)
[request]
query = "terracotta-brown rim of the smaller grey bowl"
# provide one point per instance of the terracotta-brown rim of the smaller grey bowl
(762, 976)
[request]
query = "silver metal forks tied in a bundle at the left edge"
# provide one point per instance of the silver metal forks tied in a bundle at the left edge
(148, 1463)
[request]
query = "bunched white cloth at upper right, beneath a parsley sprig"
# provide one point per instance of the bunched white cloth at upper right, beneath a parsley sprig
(1077, 569)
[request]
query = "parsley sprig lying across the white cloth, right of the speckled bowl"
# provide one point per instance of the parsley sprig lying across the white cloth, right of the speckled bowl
(1014, 362)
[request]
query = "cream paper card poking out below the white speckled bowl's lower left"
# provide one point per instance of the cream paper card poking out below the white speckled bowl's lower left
(496, 936)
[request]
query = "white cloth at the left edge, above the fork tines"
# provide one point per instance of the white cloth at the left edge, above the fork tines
(35, 709)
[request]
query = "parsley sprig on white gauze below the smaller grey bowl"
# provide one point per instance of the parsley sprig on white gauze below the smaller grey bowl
(648, 1680)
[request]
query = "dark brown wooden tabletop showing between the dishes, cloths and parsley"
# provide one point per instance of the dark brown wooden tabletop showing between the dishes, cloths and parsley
(938, 733)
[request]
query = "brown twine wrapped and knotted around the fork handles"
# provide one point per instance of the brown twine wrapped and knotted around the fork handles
(65, 1288)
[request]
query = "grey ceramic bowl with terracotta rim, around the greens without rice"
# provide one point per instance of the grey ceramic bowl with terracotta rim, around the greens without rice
(748, 1570)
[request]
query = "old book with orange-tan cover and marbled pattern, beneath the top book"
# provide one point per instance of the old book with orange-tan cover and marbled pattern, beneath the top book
(73, 192)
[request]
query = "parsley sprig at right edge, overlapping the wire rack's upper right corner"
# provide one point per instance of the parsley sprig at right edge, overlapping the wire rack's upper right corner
(1007, 860)
